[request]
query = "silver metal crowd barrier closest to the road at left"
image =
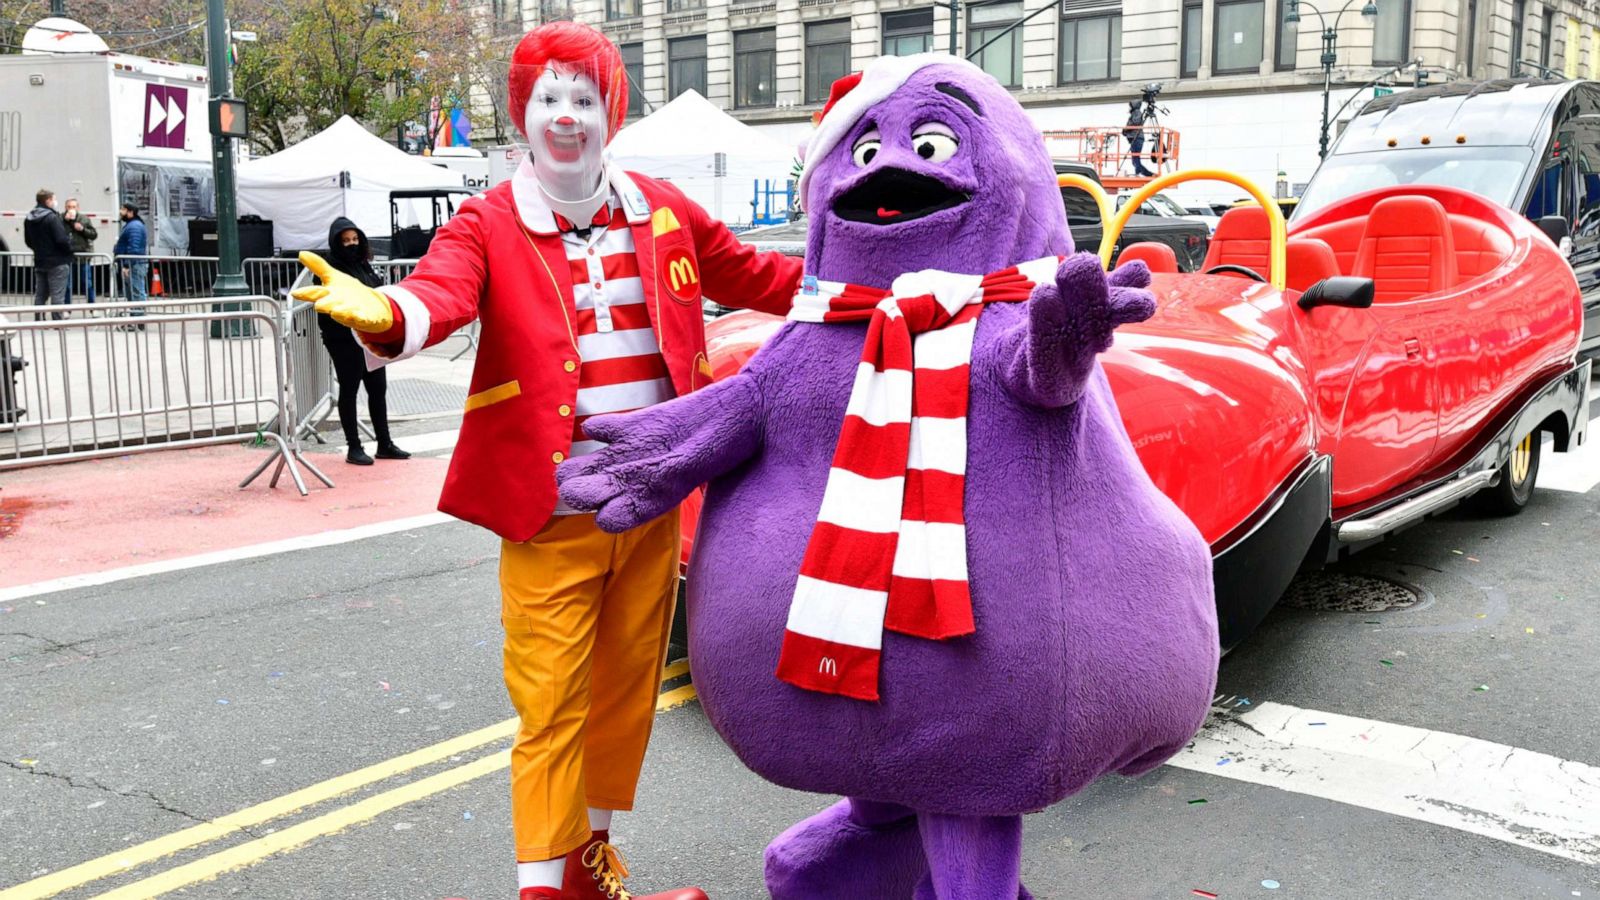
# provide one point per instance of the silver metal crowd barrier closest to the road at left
(122, 384)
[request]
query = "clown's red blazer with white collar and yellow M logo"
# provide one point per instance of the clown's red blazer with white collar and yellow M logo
(500, 260)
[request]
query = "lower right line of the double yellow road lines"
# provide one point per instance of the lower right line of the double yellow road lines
(306, 832)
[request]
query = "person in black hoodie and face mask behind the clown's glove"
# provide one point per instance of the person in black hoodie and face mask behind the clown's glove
(351, 254)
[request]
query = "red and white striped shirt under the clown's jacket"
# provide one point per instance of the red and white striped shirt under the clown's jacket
(622, 368)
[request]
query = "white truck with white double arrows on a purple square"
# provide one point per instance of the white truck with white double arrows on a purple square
(102, 127)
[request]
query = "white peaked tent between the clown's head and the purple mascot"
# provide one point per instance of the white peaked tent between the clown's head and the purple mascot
(679, 143)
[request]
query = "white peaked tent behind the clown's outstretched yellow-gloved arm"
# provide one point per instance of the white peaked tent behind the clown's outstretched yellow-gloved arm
(343, 171)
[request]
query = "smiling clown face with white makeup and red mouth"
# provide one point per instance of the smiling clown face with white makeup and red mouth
(567, 132)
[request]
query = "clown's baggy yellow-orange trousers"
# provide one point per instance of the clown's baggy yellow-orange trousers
(586, 619)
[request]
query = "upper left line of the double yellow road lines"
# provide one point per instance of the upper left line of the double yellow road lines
(111, 864)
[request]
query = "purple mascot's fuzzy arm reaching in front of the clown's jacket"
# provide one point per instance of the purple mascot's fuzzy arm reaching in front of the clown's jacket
(657, 457)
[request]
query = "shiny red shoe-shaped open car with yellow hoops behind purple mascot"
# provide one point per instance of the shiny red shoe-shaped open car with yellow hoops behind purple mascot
(1313, 392)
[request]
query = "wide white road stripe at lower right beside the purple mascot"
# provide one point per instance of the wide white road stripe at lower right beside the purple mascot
(1511, 795)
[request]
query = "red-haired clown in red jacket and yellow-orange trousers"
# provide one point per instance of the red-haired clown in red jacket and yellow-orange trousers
(588, 284)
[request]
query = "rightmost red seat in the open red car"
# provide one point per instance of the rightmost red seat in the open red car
(1407, 249)
